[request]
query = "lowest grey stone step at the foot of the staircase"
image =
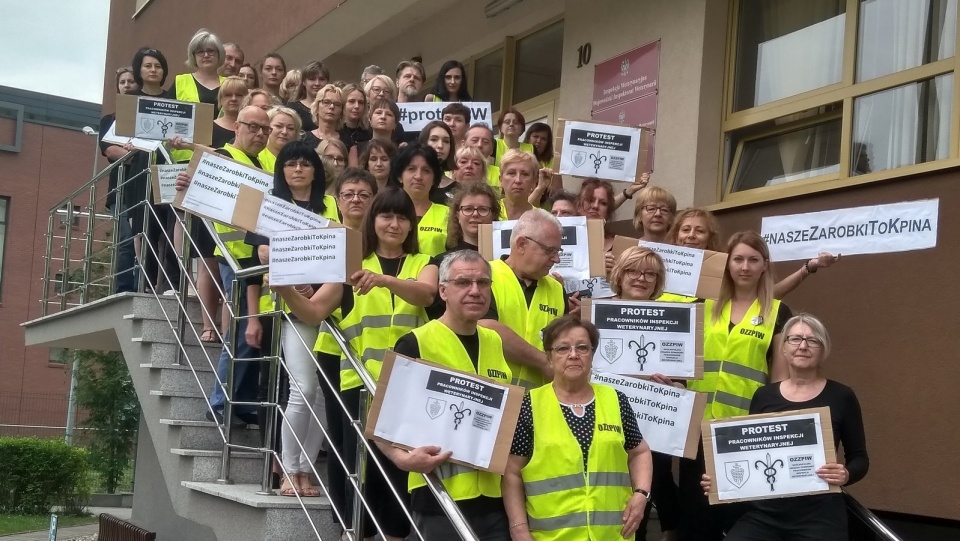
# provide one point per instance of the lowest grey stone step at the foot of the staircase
(283, 517)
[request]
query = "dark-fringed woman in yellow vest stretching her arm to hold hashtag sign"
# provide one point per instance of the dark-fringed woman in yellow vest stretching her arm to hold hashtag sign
(392, 289)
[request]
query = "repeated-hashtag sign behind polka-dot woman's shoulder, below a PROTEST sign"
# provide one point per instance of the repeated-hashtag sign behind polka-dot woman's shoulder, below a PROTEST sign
(668, 417)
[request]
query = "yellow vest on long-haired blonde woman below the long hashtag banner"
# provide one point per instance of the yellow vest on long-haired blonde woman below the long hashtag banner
(734, 361)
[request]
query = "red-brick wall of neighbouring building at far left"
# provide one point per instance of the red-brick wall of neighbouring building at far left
(52, 163)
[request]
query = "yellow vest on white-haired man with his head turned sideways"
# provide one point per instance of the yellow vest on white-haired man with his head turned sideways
(527, 321)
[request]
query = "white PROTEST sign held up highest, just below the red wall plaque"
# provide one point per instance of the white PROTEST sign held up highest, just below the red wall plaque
(599, 150)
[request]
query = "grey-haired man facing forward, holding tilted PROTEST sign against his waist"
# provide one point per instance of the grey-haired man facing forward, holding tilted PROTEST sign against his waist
(455, 340)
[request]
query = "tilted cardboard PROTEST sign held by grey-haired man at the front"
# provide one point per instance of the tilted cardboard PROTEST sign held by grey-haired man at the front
(421, 403)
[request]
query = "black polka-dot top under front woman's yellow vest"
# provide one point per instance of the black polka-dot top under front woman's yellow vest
(582, 427)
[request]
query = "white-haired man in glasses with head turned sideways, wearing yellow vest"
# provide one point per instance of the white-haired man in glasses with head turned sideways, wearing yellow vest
(525, 297)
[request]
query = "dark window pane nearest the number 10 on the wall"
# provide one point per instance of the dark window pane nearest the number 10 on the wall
(538, 63)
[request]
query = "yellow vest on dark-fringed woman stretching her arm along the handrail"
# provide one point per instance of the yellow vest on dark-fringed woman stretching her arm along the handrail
(379, 319)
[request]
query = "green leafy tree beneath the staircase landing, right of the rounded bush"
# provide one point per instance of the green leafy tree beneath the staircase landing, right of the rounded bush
(105, 391)
